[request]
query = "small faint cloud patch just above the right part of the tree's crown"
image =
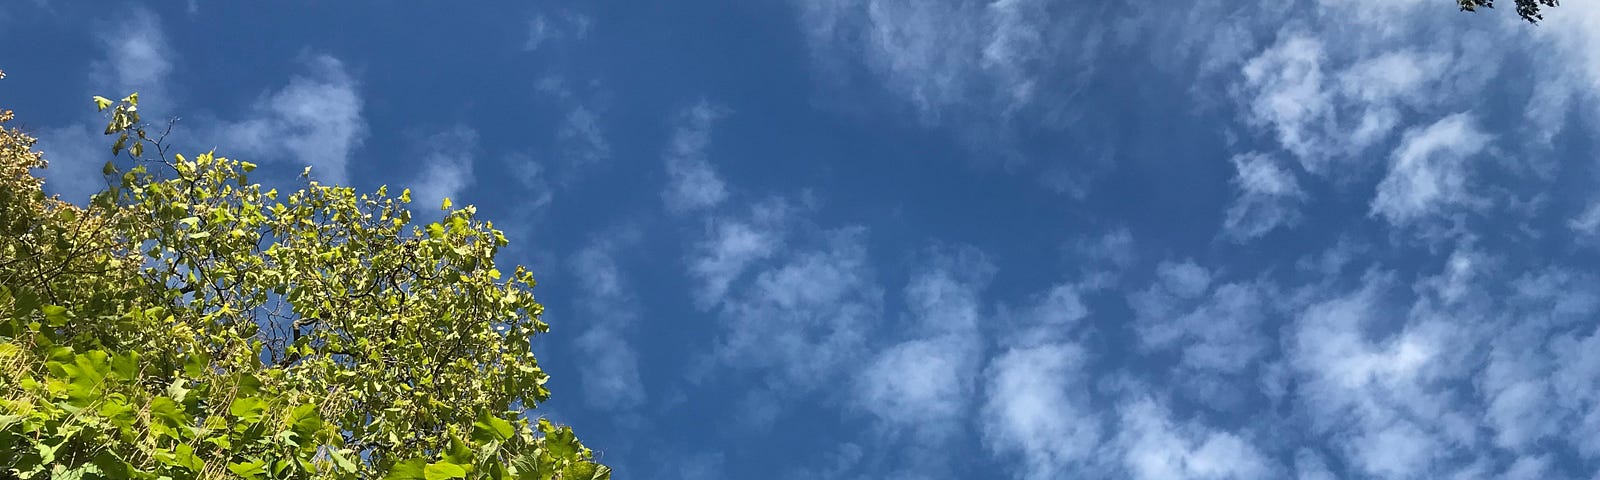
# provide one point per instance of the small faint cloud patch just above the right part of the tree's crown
(447, 167)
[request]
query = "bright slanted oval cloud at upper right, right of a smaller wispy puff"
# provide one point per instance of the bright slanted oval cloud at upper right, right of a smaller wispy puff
(1430, 170)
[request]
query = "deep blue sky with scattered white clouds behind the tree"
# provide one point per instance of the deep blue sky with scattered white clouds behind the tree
(935, 239)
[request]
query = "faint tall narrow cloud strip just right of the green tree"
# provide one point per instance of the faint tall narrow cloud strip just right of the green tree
(610, 374)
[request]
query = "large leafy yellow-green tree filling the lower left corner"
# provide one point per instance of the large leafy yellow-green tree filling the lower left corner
(190, 324)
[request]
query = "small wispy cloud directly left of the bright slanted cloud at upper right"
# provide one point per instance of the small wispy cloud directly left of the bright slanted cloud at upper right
(1268, 198)
